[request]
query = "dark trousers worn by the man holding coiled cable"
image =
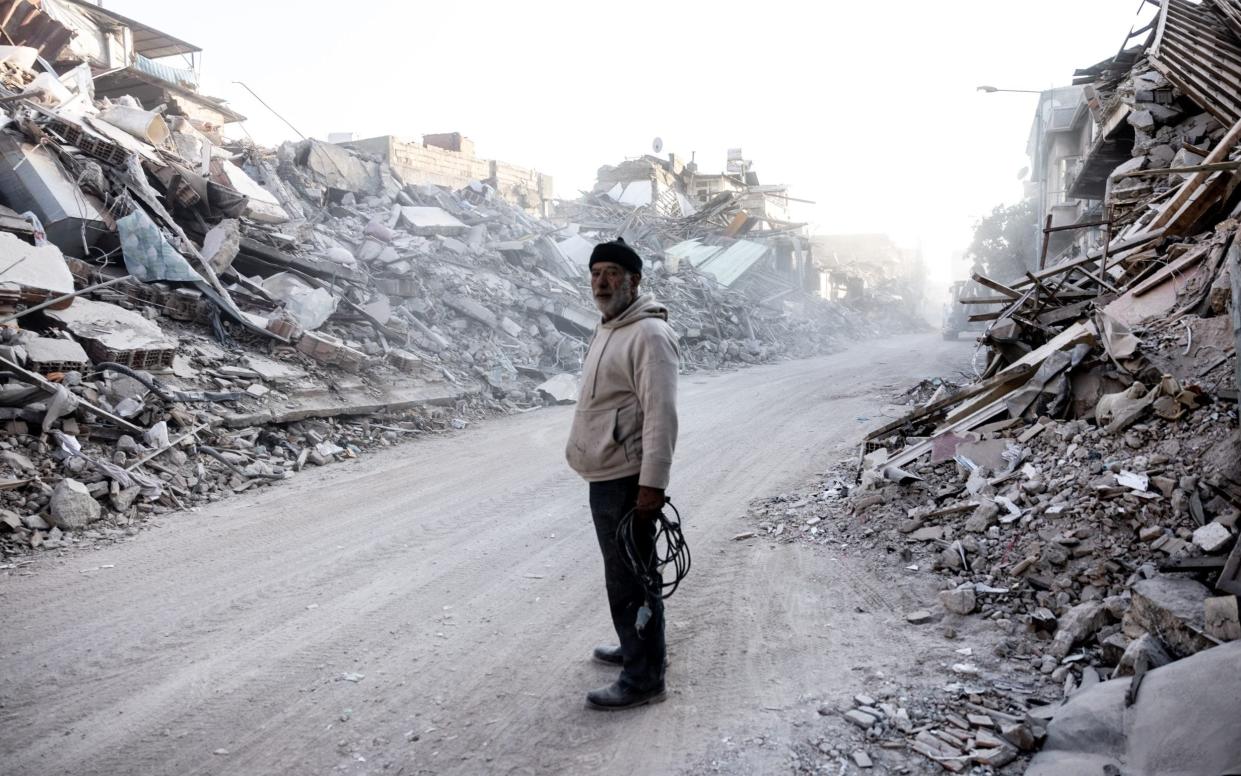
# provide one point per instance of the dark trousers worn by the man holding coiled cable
(643, 654)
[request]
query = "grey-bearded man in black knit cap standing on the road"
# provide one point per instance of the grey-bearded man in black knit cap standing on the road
(622, 443)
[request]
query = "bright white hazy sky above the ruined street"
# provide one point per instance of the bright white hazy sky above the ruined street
(868, 109)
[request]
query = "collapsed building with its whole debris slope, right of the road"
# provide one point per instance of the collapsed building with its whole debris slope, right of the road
(1084, 492)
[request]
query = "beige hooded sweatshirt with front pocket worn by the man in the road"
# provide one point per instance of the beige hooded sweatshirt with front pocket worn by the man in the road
(626, 419)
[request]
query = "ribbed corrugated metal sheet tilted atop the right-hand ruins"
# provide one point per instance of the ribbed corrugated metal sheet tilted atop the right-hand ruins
(1201, 56)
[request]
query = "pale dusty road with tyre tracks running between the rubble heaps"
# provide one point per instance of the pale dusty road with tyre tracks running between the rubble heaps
(457, 584)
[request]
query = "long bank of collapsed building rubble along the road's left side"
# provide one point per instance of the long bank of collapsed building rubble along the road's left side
(187, 317)
